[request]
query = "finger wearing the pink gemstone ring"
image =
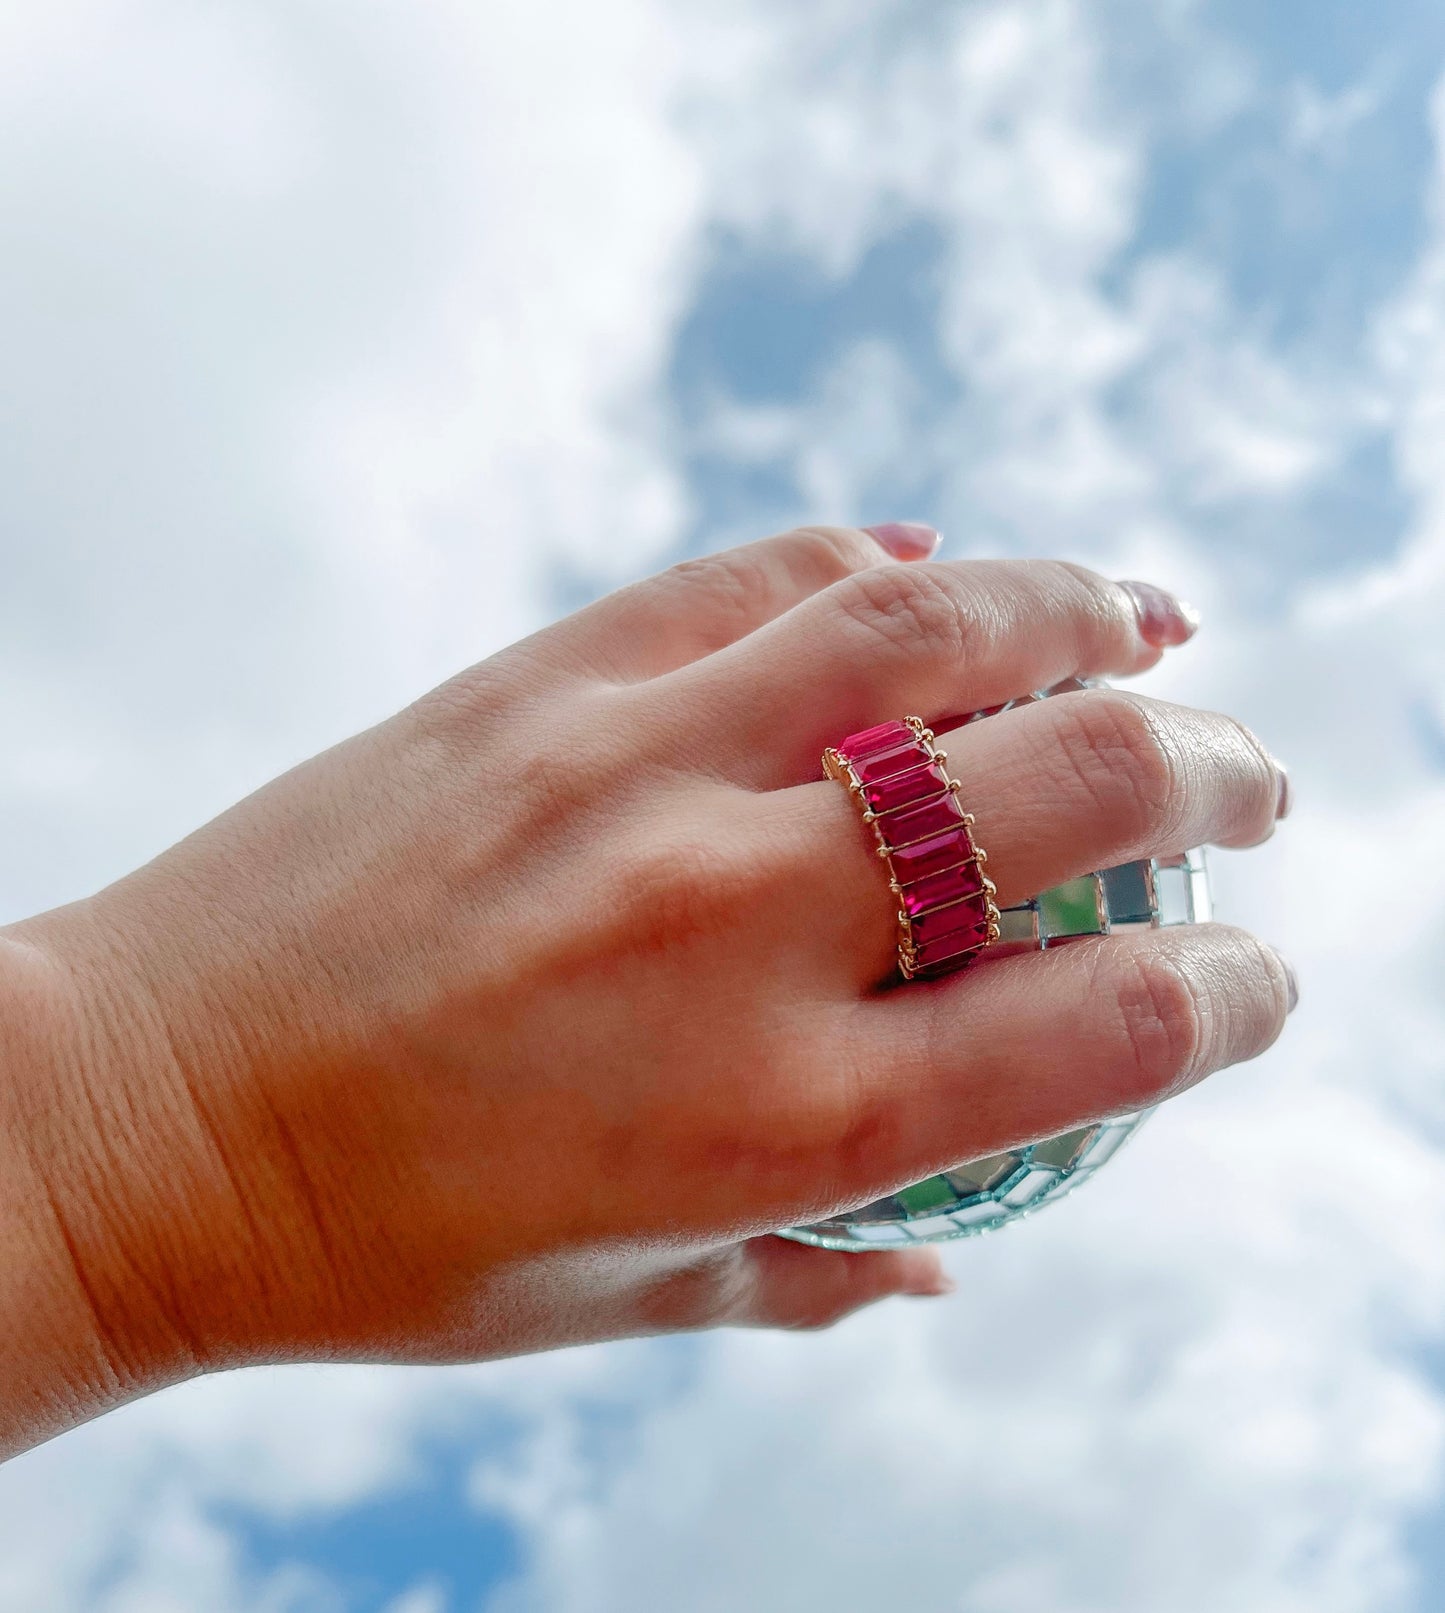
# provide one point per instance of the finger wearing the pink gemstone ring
(1057, 790)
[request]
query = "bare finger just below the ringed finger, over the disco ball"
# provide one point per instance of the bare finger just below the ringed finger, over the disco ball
(1035, 1046)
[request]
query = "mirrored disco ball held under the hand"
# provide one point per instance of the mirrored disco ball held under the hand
(1002, 1188)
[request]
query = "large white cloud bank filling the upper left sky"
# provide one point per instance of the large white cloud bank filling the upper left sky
(327, 335)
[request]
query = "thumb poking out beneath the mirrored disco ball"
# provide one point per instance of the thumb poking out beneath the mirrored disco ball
(777, 1283)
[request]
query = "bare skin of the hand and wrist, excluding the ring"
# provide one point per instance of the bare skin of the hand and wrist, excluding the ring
(528, 1017)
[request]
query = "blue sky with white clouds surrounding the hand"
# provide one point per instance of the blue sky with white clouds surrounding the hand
(343, 344)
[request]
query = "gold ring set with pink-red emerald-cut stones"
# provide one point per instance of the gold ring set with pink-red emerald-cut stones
(936, 869)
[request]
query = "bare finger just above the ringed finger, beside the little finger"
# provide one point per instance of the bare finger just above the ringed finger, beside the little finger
(935, 640)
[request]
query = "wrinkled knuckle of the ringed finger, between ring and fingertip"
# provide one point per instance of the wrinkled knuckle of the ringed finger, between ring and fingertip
(1117, 757)
